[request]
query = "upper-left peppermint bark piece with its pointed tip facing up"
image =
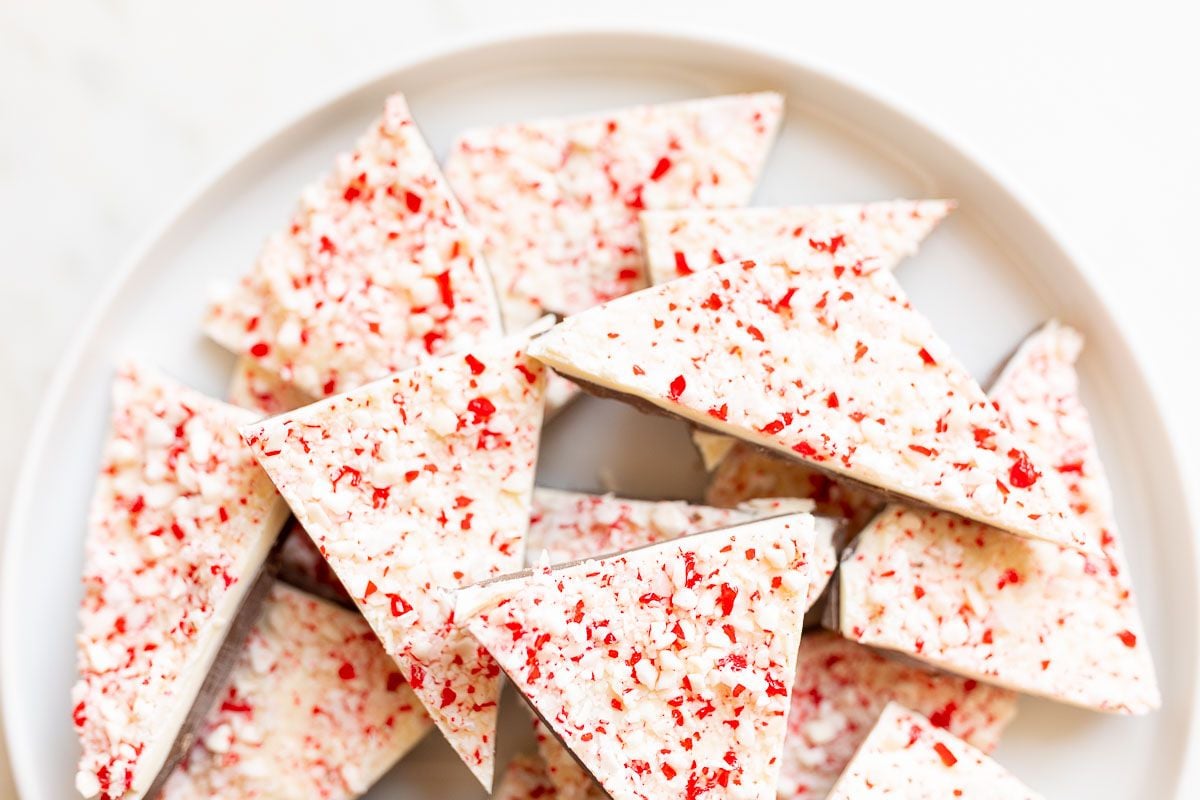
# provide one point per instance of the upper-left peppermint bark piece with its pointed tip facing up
(377, 272)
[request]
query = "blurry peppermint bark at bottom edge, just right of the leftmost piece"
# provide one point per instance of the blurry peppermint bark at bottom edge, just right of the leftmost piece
(315, 708)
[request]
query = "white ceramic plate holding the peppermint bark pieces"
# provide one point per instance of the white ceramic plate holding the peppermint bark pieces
(987, 278)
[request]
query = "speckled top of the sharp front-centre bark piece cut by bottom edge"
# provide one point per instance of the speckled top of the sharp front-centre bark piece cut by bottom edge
(668, 670)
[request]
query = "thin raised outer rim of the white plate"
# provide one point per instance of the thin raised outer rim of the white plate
(736, 45)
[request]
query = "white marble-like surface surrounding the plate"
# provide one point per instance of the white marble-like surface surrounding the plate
(111, 111)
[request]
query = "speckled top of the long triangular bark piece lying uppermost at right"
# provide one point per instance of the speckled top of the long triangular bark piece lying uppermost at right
(826, 362)
